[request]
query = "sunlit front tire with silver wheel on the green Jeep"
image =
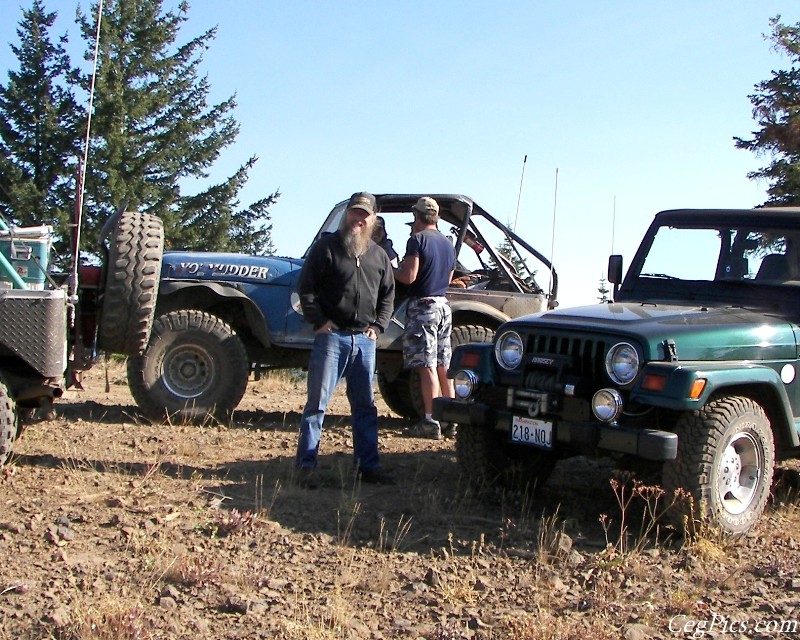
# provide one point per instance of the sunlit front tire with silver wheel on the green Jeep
(725, 462)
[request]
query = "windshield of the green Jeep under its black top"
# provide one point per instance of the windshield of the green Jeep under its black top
(696, 261)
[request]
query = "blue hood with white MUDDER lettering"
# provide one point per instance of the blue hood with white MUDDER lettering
(226, 266)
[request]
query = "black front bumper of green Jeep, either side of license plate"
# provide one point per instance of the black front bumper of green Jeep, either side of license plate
(650, 444)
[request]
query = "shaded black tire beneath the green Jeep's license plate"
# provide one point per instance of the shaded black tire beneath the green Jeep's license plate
(487, 459)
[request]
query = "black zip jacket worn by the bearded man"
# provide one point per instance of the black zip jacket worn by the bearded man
(353, 293)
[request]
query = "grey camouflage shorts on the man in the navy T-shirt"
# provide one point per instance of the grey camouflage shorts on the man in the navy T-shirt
(426, 341)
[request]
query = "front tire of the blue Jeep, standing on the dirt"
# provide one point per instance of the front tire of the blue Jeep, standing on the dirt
(194, 370)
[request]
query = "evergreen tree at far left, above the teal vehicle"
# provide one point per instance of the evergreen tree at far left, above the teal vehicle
(39, 140)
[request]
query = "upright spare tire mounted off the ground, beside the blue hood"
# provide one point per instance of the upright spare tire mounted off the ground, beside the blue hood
(130, 289)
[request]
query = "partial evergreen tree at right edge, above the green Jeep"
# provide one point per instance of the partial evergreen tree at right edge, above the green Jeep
(776, 108)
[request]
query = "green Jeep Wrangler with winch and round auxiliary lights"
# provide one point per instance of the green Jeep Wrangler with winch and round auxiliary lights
(694, 366)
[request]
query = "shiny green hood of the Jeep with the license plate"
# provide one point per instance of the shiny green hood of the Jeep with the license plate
(699, 332)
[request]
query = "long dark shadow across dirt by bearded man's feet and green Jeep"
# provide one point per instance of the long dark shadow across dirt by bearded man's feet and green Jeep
(431, 506)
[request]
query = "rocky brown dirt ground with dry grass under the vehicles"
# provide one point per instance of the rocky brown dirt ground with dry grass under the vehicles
(113, 527)
